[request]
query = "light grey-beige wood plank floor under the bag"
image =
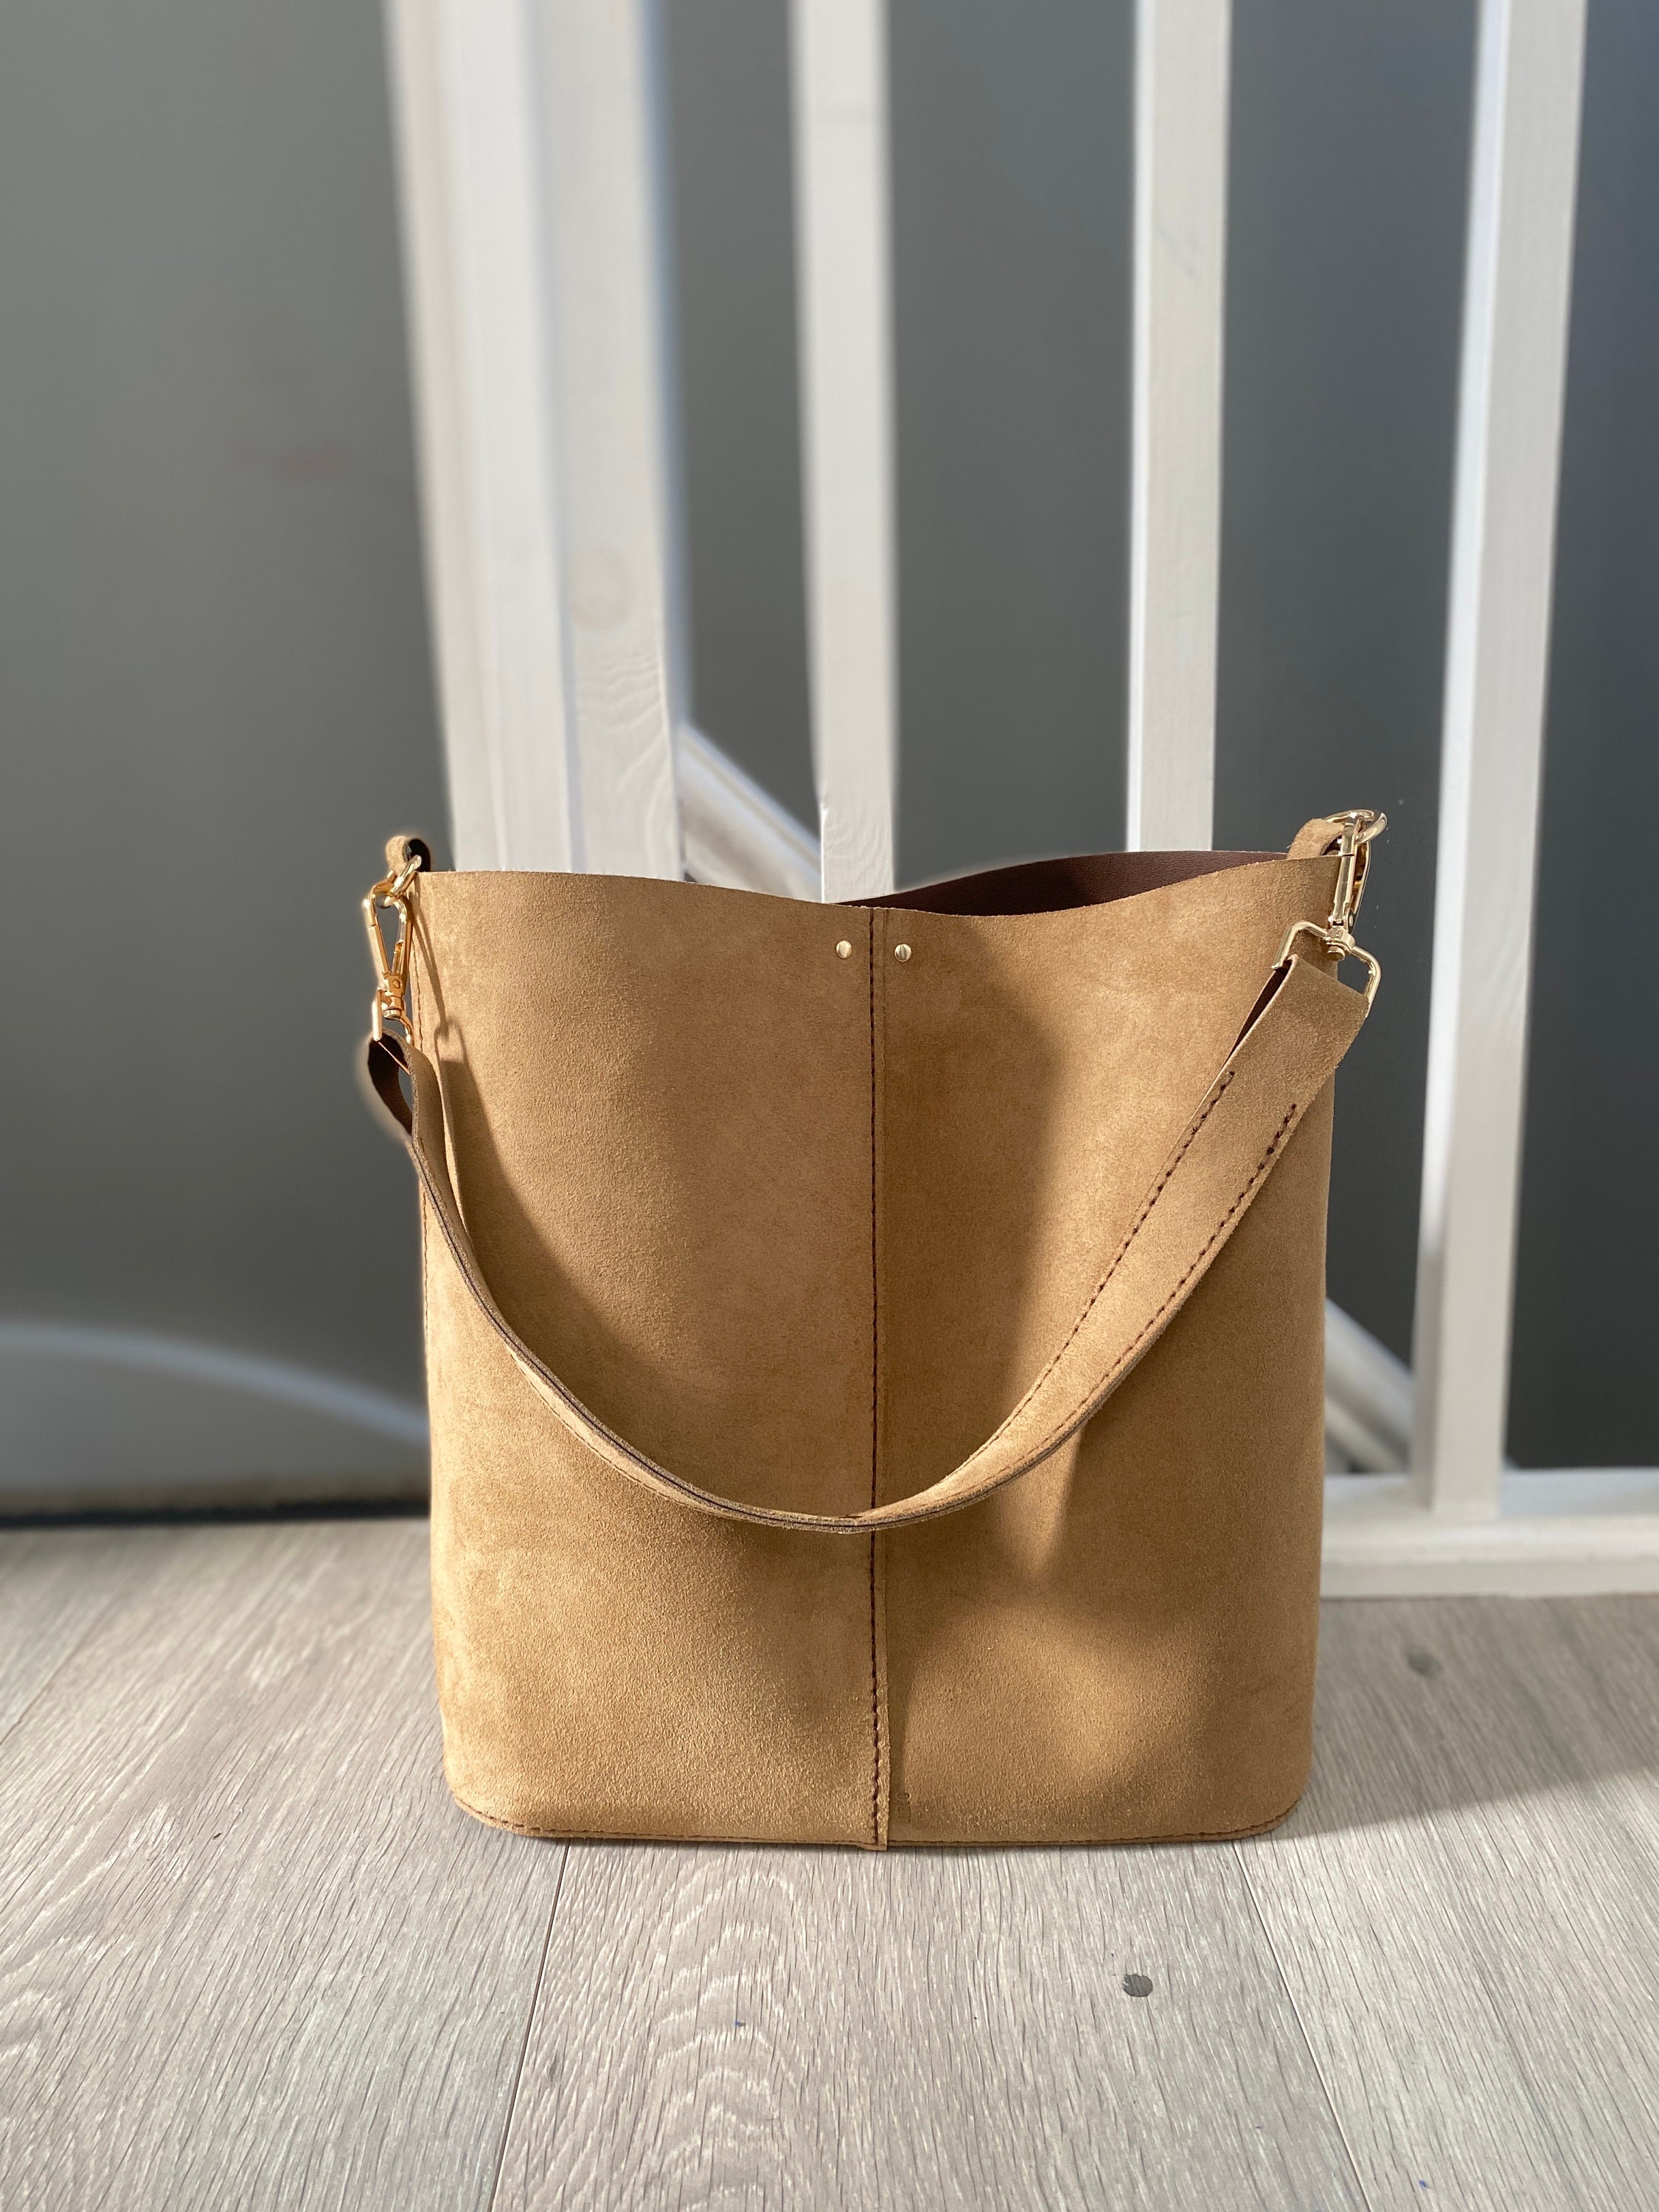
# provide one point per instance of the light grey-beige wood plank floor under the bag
(253, 1957)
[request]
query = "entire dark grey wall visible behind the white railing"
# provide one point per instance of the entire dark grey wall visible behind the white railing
(213, 662)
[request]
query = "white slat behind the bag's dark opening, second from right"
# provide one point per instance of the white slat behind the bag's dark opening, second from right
(1176, 441)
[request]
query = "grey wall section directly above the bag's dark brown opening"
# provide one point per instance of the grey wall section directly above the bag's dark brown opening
(1012, 194)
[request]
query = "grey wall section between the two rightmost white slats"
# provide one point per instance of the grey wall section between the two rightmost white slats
(1348, 180)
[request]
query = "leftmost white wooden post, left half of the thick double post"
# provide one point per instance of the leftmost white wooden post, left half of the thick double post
(477, 278)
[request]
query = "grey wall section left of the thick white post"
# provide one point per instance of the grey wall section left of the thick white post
(216, 696)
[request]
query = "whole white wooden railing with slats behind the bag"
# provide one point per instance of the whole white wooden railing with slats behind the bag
(532, 158)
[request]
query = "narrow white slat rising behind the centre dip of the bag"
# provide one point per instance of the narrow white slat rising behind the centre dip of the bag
(844, 286)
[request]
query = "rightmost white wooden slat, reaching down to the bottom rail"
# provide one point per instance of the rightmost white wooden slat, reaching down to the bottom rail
(1510, 437)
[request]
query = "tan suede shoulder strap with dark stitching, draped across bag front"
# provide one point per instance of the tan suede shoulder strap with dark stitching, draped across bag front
(1284, 1058)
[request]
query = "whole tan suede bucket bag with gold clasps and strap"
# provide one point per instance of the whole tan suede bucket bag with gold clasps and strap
(877, 1353)
